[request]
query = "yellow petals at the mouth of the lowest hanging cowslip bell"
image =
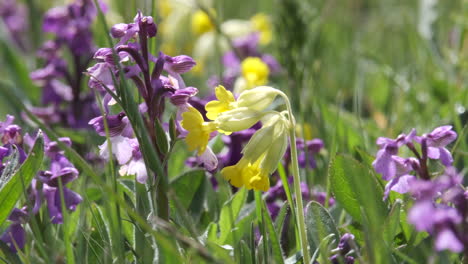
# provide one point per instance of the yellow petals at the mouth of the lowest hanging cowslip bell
(249, 175)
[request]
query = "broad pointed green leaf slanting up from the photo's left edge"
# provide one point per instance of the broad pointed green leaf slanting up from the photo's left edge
(12, 190)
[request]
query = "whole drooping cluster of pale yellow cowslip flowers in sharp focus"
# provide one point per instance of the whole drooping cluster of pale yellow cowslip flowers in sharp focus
(266, 147)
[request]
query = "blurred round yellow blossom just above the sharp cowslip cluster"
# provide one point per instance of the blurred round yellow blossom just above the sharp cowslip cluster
(255, 72)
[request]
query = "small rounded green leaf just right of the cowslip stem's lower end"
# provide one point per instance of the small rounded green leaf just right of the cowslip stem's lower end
(320, 224)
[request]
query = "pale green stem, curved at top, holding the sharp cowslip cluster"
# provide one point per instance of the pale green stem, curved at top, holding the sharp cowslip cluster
(297, 183)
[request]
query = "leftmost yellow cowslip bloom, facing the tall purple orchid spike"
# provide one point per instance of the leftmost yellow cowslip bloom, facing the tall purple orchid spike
(198, 130)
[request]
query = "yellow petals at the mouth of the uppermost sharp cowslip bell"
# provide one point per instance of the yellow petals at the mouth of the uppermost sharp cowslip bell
(226, 102)
